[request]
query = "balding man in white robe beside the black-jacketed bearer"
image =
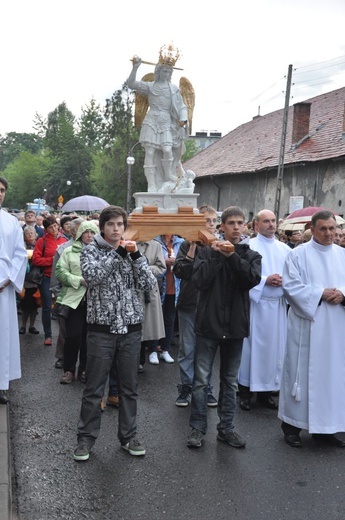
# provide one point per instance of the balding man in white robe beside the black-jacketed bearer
(263, 351)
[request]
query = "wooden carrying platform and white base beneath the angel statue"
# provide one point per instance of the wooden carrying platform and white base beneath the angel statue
(150, 221)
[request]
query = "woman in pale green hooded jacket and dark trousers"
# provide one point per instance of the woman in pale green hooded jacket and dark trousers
(72, 299)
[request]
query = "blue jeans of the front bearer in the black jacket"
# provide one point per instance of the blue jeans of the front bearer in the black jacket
(230, 359)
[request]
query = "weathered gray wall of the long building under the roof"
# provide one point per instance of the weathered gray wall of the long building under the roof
(321, 184)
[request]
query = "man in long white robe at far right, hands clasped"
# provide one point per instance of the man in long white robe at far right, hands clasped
(313, 384)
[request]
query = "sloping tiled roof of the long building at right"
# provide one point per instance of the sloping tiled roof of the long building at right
(255, 146)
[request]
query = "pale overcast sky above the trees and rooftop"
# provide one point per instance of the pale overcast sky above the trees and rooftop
(236, 54)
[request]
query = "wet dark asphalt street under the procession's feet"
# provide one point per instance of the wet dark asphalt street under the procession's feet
(267, 480)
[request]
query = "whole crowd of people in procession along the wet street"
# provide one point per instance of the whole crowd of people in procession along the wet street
(271, 303)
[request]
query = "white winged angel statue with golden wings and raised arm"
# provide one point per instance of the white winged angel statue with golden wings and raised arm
(164, 113)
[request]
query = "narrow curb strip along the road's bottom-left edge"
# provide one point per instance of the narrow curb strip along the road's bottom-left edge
(5, 465)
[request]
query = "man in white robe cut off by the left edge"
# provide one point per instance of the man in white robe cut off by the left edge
(13, 260)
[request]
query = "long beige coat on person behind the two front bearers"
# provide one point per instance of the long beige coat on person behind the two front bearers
(153, 324)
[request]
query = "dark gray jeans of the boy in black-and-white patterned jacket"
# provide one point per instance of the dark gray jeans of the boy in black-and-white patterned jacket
(102, 347)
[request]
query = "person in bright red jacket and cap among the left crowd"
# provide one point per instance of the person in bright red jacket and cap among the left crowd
(43, 256)
